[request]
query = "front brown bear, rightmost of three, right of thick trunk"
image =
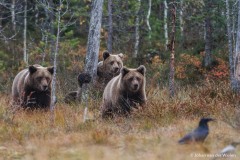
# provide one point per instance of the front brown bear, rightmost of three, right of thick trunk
(124, 92)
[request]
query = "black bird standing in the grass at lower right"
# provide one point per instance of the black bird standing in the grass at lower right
(199, 134)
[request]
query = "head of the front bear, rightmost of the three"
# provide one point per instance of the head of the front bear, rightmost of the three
(133, 79)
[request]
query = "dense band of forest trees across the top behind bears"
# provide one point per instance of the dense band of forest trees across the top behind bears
(29, 29)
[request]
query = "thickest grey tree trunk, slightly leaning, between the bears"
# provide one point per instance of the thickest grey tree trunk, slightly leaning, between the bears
(93, 46)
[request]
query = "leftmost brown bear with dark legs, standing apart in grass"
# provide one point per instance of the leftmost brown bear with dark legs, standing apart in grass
(32, 87)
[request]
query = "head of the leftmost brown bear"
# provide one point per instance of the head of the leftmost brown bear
(40, 78)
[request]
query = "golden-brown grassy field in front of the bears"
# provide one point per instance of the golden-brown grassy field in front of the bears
(150, 133)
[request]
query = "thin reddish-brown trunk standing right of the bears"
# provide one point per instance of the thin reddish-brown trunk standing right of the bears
(172, 56)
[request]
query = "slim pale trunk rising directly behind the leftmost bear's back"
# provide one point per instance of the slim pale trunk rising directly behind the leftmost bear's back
(25, 56)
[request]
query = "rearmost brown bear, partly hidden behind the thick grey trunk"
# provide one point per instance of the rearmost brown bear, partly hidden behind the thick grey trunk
(106, 70)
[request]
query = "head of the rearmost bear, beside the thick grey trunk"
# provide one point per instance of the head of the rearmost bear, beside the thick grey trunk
(112, 63)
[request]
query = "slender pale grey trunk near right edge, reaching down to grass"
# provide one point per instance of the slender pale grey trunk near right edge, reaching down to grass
(230, 47)
